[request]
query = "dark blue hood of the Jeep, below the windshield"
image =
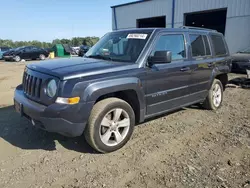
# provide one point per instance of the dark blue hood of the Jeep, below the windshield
(79, 67)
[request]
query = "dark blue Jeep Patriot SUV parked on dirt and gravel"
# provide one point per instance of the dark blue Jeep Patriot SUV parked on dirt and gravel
(127, 77)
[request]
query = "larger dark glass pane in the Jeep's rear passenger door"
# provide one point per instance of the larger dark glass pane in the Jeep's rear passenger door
(197, 44)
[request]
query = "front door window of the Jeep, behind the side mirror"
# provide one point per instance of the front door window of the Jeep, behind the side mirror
(174, 43)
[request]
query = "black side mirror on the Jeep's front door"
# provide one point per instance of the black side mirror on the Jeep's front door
(160, 57)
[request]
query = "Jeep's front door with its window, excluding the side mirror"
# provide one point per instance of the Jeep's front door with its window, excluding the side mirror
(167, 85)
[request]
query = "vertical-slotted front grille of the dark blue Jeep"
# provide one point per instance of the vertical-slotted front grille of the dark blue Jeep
(32, 85)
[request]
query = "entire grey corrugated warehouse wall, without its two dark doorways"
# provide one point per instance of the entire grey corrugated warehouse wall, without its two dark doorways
(237, 25)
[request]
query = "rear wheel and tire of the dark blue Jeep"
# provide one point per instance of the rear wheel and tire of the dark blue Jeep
(215, 96)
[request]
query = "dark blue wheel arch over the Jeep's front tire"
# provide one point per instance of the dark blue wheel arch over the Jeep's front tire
(127, 89)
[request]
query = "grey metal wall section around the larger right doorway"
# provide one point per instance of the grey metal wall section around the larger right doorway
(238, 18)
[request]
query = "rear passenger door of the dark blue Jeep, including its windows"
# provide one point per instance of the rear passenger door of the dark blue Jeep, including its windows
(203, 63)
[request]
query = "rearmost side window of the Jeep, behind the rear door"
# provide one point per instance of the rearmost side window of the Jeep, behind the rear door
(219, 45)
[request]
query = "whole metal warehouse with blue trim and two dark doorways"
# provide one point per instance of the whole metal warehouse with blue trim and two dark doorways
(231, 17)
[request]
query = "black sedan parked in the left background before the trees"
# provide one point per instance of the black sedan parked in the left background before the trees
(26, 52)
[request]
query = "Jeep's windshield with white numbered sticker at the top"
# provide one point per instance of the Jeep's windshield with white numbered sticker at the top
(123, 46)
